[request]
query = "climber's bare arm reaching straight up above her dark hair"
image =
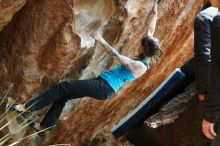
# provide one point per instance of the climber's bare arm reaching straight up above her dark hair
(153, 21)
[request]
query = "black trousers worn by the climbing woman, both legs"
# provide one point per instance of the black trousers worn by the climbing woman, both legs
(59, 94)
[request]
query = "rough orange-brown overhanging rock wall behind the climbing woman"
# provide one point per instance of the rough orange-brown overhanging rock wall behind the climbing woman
(47, 41)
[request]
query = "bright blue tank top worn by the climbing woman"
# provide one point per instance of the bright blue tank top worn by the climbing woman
(119, 76)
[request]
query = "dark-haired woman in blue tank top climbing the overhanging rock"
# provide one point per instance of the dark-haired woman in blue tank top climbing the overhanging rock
(101, 87)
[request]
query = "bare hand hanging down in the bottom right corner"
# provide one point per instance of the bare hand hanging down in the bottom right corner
(208, 129)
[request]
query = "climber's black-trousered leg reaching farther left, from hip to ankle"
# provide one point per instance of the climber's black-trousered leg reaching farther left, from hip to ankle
(65, 90)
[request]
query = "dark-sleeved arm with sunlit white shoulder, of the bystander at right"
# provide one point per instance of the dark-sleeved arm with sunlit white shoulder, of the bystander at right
(202, 45)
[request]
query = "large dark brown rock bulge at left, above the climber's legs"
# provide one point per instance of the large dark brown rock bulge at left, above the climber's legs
(42, 43)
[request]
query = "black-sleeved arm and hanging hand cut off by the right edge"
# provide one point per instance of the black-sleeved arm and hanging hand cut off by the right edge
(212, 102)
